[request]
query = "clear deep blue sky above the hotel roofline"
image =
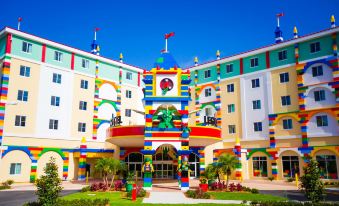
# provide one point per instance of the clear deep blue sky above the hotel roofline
(137, 28)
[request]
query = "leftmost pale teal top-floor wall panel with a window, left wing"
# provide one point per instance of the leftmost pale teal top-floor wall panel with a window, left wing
(17, 48)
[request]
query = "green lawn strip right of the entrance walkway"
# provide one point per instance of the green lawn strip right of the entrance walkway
(245, 196)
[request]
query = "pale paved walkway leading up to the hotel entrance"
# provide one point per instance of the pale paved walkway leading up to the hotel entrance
(180, 198)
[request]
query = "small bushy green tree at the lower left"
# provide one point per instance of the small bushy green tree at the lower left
(49, 185)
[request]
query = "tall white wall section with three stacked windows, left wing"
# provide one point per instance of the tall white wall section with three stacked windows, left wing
(46, 111)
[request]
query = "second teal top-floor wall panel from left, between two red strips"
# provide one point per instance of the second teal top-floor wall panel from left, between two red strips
(66, 57)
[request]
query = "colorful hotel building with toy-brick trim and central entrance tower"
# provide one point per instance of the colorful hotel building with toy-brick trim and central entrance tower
(272, 107)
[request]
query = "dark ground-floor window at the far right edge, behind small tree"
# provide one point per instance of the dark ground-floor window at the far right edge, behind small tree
(328, 166)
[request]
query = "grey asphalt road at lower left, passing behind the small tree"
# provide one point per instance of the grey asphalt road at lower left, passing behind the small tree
(18, 198)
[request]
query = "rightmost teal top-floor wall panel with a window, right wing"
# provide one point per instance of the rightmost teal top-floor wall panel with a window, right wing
(325, 48)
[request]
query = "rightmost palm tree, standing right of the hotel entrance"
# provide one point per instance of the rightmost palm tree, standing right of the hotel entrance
(226, 164)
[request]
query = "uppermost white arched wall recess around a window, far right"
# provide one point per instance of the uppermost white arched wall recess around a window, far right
(326, 77)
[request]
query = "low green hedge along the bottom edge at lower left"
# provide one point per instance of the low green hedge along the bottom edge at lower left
(75, 202)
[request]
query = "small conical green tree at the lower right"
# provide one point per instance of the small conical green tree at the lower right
(311, 184)
